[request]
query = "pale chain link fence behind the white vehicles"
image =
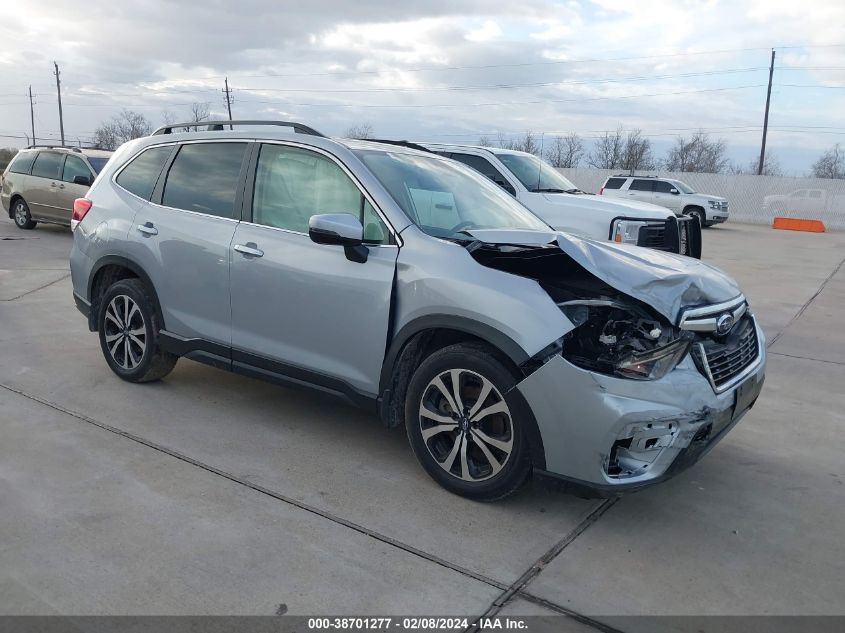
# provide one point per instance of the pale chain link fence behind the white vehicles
(753, 199)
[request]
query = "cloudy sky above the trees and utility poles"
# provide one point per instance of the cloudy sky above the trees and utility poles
(447, 70)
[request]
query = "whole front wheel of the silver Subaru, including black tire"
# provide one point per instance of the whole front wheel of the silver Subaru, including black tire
(465, 426)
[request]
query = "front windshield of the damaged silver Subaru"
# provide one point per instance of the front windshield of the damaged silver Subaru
(444, 198)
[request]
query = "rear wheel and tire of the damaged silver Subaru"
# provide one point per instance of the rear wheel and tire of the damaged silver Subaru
(129, 328)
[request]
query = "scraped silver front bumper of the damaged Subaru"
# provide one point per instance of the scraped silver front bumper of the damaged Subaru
(671, 422)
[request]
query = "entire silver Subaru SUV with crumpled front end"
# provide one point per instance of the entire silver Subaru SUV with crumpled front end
(412, 286)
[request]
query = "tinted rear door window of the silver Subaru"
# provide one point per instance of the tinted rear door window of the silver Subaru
(204, 178)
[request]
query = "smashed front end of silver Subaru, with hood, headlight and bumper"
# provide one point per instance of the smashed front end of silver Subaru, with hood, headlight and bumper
(643, 384)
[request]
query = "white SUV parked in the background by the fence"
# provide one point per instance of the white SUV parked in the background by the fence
(667, 192)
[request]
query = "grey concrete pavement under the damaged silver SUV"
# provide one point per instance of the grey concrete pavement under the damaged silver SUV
(213, 493)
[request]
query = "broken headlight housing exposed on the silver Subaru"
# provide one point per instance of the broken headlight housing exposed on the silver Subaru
(622, 340)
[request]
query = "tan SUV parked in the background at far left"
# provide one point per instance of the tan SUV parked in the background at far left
(41, 183)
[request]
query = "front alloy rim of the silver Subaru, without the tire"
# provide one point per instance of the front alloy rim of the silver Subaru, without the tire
(466, 425)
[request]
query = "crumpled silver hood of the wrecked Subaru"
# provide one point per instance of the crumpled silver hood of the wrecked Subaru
(667, 282)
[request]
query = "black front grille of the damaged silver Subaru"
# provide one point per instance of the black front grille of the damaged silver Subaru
(723, 360)
